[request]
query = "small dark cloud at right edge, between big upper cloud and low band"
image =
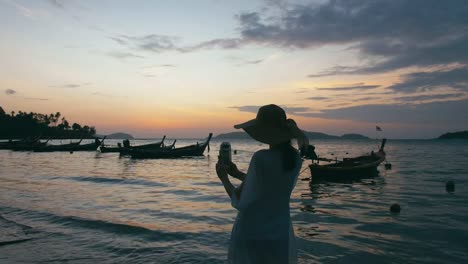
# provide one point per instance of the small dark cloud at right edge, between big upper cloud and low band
(427, 81)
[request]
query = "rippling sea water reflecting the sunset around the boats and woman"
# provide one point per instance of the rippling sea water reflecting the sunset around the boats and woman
(90, 207)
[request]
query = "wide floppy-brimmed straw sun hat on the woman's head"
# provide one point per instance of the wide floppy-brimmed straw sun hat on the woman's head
(271, 126)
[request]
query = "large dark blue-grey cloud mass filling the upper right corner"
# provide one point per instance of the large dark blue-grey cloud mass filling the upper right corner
(402, 33)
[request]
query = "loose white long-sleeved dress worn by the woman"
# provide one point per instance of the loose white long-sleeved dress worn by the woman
(262, 232)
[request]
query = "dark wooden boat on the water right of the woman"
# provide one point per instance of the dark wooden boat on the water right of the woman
(348, 168)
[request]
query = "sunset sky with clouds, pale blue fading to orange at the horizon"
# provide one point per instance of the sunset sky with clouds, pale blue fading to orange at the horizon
(184, 68)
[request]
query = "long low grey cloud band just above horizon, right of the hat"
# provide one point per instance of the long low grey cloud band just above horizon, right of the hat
(451, 112)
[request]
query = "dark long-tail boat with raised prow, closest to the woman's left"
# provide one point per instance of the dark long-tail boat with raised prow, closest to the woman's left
(170, 153)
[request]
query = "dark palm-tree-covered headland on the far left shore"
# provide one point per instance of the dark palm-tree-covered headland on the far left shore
(22, 125)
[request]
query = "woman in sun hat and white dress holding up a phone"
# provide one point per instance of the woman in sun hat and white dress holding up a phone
(262, 232)
